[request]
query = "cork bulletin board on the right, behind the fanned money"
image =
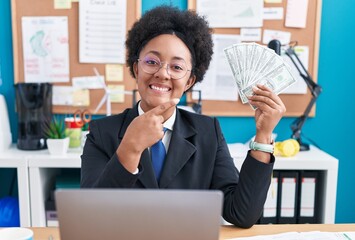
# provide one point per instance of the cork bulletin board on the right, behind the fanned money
(308, 36)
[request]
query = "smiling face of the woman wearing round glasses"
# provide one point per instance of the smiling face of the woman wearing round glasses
(160, 87)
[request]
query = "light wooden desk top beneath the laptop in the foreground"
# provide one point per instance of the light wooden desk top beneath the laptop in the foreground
(233, 232)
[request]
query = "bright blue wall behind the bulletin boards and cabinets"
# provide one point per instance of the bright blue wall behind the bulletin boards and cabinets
(332, 128)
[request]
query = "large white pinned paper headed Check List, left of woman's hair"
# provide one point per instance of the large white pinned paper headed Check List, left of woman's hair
(102, 31)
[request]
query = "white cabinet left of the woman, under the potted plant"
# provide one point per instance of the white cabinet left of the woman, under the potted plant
(35, 173)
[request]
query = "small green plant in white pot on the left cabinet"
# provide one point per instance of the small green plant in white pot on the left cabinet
(57, 139)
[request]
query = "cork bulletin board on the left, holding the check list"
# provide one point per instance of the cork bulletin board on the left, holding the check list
(21, 8)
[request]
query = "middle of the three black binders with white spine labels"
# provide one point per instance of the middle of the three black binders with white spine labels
(287, 202)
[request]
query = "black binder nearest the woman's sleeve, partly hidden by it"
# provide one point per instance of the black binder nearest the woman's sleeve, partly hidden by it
(270, 212)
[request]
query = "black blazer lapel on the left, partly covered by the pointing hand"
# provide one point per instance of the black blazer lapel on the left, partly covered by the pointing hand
(147, 178)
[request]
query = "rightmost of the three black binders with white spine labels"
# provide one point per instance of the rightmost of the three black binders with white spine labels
(309, 200)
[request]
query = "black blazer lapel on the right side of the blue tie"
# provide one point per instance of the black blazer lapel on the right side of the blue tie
(180, 150)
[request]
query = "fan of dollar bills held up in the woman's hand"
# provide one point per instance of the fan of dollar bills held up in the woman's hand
(253, 64)
